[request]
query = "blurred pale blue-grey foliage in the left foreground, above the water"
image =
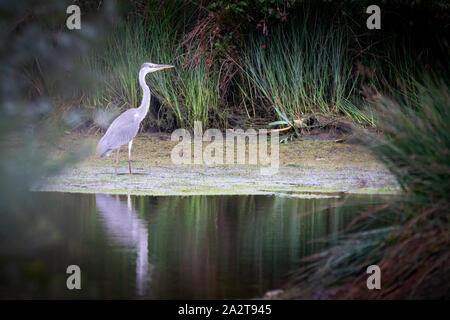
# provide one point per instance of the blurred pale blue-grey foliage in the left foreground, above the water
(37, 63)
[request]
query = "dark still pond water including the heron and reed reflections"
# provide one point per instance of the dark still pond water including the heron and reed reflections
(191, 247)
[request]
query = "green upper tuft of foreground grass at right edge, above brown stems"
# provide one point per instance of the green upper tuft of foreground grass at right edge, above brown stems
(416, 147)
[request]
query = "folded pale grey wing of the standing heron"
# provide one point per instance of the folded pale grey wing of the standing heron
(121, 131)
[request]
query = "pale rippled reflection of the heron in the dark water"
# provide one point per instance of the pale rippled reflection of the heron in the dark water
(125, 228)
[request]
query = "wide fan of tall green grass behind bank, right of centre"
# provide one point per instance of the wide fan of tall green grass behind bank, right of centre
(302, 69)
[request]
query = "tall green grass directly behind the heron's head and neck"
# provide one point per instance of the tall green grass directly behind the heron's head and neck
(186, 93)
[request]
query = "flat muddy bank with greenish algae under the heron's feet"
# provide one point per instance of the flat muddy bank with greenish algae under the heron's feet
(313, 166)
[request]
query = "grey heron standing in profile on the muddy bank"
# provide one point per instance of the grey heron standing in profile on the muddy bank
(126, 126)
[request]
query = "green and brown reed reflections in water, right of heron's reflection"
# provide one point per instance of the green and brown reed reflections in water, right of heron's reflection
(237, 246)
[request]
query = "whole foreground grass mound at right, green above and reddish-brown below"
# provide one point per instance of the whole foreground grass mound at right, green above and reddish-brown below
(413, 253)
